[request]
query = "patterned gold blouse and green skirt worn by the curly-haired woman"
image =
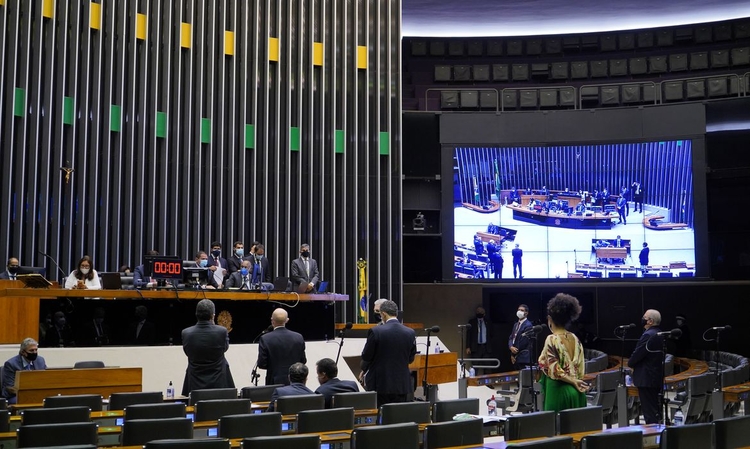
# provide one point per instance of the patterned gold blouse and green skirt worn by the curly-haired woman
(556, 362)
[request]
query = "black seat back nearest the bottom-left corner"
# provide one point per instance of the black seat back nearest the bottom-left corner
(42, 435)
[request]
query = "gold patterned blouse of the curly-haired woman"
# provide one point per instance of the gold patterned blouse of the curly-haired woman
(562, 357)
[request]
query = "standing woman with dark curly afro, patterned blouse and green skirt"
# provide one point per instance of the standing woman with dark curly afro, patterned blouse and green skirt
(561, 360)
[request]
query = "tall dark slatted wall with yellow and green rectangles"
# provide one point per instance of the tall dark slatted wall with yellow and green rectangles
(189, 121)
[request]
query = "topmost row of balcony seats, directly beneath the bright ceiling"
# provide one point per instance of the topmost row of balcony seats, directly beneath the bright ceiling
(602, 42)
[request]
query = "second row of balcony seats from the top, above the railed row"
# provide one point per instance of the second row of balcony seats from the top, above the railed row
(606, 68)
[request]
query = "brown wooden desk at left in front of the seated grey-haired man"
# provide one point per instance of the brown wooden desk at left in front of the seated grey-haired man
(34, 386)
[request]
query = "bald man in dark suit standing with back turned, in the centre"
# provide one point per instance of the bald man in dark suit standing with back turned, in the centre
(280, 349)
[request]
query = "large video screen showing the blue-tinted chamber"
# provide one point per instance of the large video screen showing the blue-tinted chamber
(609, 211)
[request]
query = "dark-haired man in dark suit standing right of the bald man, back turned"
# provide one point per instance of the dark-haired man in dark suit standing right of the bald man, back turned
(388, 351)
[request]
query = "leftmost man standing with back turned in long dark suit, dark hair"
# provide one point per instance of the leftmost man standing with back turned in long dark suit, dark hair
(205, 345)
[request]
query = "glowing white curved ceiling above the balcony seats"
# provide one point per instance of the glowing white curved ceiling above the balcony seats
(537, 17)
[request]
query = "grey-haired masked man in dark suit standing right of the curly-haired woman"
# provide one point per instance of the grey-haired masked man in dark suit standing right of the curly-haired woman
(646, 361)
